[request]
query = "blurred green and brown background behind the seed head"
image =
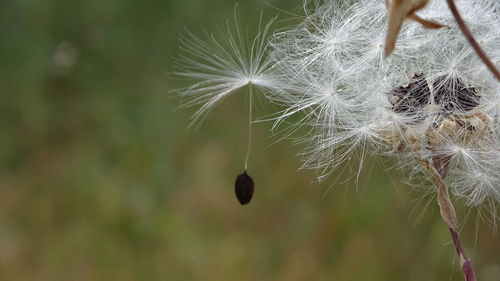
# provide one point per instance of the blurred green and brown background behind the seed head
(100, 180)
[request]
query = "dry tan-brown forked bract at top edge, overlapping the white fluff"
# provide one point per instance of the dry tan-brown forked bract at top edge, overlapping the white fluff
(399, 11)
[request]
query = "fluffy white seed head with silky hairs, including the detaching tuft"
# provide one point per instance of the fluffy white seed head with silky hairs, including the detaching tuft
(432, 99)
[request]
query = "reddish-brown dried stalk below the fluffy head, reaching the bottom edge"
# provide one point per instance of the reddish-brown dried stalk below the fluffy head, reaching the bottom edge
(449, 216)
